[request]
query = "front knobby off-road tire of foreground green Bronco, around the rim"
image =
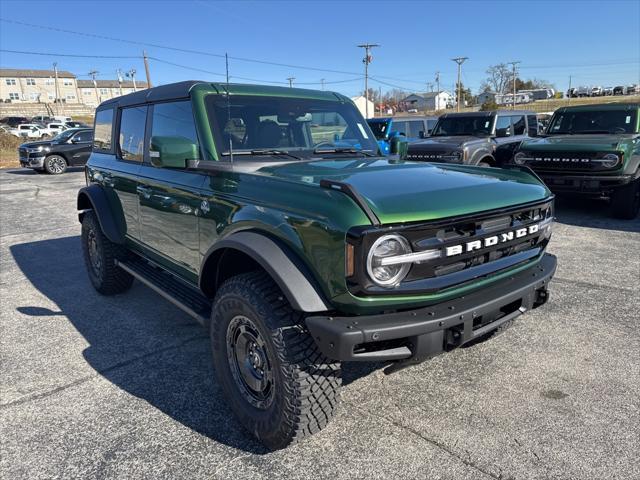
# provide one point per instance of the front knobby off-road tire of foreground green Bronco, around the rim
(305, 383)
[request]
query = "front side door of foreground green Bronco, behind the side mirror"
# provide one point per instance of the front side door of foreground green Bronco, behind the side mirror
(170, 198)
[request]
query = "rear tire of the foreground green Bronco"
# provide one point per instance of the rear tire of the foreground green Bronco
(109, 279)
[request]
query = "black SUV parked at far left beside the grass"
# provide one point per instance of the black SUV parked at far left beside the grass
(69, 148)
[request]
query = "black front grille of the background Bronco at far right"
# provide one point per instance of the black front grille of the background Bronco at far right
(568, 161)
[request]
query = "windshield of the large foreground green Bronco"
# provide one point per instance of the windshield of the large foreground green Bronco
(252, 123)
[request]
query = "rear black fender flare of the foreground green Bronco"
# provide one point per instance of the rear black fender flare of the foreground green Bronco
(94, 197)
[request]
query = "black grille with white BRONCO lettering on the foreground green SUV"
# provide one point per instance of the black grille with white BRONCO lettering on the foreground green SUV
(470, 247)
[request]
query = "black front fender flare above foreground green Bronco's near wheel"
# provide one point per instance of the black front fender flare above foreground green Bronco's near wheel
(289, 273)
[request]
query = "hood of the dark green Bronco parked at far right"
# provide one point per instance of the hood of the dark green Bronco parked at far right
(578, 143)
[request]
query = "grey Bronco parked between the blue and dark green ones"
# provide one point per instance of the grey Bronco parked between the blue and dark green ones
(487, 139)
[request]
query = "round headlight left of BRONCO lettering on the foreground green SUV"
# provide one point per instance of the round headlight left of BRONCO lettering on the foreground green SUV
(383, 247)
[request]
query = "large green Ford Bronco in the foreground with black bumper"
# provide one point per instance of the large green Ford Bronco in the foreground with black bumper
(267, 214)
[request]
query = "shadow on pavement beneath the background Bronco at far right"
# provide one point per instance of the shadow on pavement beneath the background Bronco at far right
(592, 213)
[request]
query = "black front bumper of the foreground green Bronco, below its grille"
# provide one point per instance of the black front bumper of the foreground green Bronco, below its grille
(425, 332)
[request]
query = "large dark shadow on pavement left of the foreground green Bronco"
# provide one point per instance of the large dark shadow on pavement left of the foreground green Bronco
(137, 341)
